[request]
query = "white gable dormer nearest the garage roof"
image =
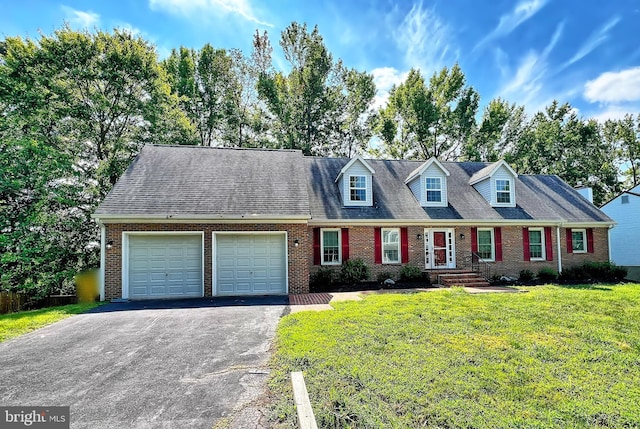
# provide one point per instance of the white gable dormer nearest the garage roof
(355, 183)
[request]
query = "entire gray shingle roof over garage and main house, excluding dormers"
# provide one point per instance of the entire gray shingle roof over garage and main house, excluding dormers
(185, 181)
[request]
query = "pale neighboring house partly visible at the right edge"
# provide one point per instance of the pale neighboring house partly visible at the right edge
(625, 236)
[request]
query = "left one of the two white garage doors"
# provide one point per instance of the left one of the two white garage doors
(165, 266)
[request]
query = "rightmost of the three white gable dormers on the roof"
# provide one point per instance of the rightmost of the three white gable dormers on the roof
(497, 184)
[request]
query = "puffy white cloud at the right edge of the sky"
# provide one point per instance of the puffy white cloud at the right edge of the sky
(614, 87)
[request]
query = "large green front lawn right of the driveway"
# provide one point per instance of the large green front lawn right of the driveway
(553, 357)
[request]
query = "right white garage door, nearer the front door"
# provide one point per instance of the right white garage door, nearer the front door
(248, 264)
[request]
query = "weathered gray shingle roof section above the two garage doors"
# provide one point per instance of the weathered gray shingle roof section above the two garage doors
(202, 181)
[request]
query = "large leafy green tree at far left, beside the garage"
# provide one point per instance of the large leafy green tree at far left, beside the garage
(76, 108)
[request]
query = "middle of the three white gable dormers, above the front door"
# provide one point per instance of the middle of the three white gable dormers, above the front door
(429, 184)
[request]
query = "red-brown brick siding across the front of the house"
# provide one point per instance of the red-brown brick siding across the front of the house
(361, 245)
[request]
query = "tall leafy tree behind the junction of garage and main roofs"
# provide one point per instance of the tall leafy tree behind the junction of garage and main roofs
(318, 105)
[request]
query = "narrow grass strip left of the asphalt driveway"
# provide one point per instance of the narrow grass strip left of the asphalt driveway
(14, 324)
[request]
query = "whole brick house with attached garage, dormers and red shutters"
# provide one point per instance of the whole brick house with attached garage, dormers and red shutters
(197, 221)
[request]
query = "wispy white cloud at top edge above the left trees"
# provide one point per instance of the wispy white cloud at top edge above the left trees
(193, 8)
